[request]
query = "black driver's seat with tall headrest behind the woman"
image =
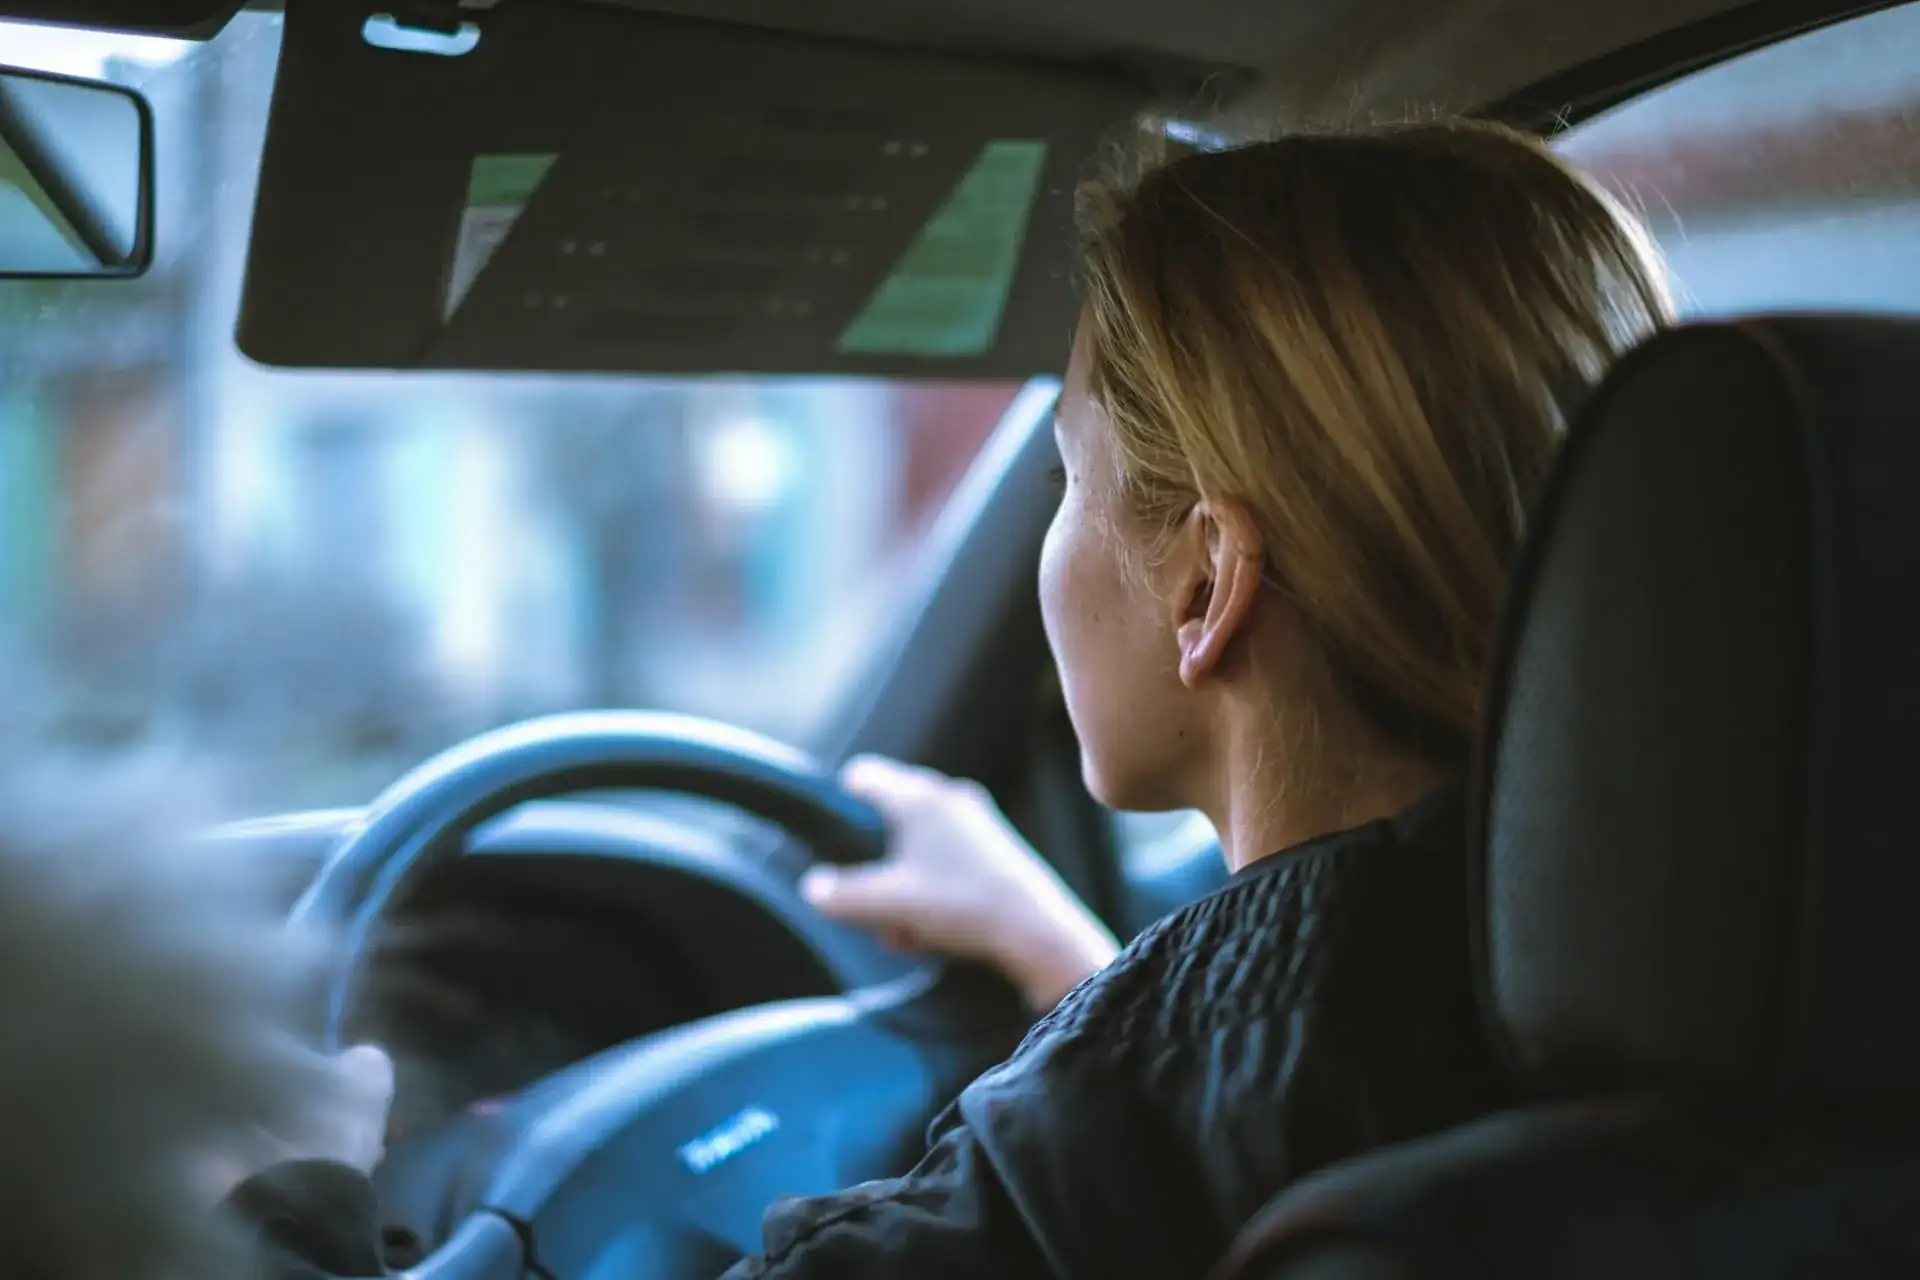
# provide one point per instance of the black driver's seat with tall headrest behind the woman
(1698, 851)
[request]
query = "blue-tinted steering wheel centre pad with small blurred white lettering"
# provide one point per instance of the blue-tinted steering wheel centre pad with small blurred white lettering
(690, 1133)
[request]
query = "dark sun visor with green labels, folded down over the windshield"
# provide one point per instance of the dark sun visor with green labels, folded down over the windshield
(573, 187)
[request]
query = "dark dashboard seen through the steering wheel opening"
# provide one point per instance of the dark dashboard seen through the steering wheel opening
(571, 928)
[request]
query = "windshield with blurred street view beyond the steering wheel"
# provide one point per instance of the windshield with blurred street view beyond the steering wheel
(329, 577)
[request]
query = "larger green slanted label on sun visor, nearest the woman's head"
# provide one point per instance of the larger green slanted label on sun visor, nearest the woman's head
(949, 291)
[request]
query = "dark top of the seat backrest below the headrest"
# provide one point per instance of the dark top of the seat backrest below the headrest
(1598, 1193)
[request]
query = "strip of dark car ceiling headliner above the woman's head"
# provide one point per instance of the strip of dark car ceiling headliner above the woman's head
(1305, 60)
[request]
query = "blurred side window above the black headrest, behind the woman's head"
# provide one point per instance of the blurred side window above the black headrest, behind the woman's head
(1783, 179)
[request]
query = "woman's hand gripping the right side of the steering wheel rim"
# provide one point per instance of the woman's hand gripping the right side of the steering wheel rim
(961, 882)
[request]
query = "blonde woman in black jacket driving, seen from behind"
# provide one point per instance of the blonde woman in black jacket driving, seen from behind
(1314, 389)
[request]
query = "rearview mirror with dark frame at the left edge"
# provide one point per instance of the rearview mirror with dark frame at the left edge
(76, 178)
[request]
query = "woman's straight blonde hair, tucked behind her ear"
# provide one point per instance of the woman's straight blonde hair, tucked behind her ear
(1372, 341)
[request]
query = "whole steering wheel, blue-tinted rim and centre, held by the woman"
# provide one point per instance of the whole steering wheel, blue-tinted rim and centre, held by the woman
(667, 1150)
